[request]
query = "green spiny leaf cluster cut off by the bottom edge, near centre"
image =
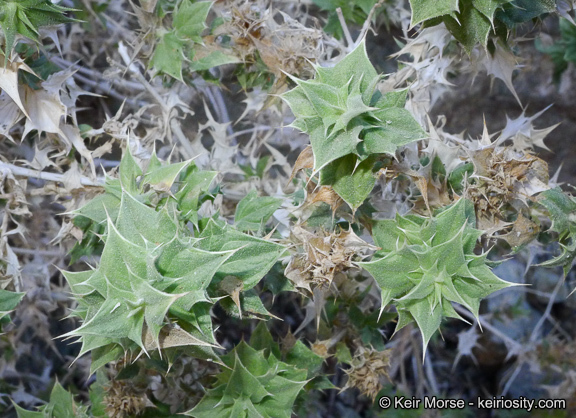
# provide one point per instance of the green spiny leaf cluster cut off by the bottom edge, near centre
(253, 384)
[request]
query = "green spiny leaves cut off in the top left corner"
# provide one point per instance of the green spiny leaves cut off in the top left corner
(25, 17)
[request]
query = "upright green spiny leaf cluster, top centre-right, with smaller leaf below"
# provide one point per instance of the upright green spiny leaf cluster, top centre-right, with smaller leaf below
(350, 123)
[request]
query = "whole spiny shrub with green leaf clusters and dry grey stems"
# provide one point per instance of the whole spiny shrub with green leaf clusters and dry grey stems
(383, 218)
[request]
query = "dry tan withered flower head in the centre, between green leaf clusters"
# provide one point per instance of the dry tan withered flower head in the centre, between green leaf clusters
(323, 255)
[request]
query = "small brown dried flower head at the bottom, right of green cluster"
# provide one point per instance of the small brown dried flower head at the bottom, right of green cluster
(368, 369)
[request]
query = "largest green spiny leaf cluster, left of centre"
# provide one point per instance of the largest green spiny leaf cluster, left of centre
(153, 272)
